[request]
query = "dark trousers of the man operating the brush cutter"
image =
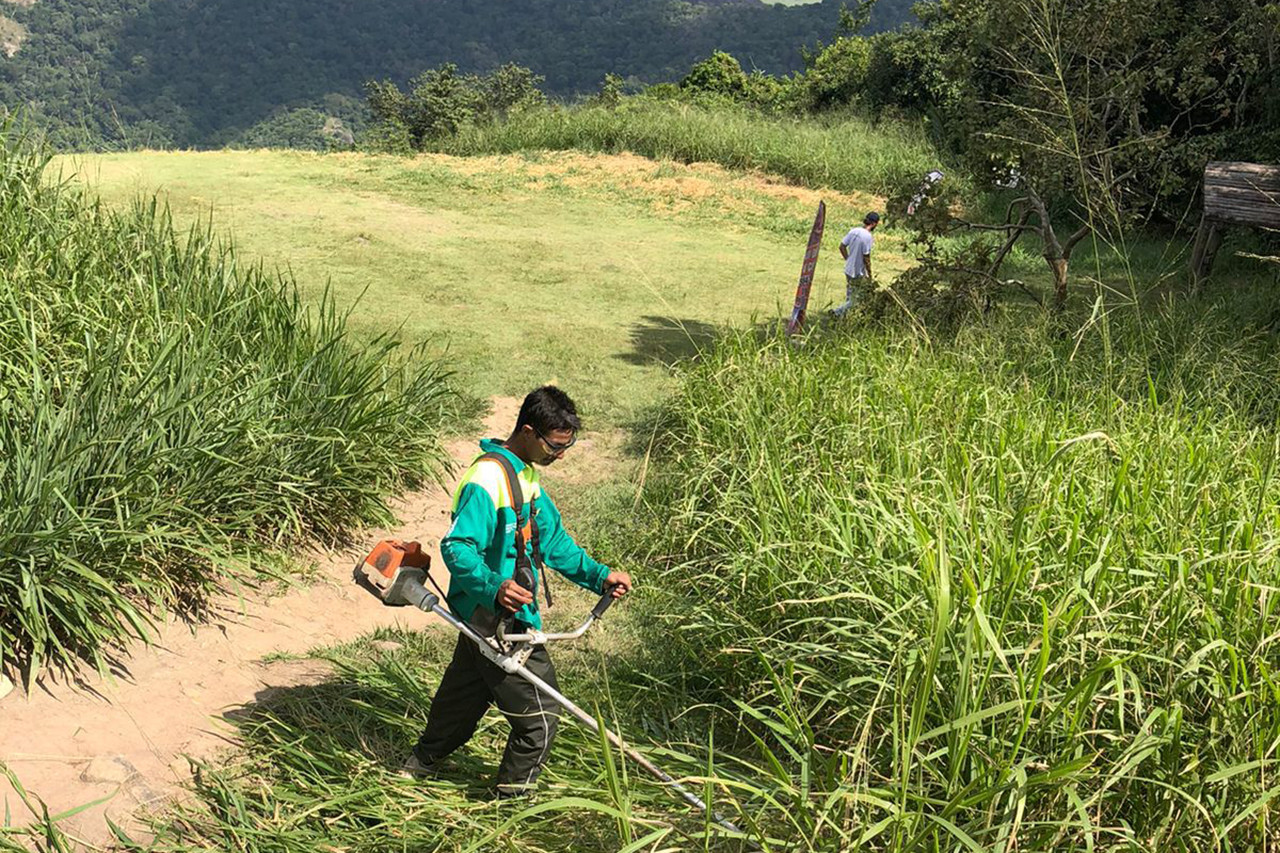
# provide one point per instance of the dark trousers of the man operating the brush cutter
(470, 685)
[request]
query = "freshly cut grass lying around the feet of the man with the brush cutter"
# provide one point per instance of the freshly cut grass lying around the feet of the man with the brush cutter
(319, 763)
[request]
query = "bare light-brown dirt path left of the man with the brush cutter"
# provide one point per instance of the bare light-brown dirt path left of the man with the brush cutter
(125, 740)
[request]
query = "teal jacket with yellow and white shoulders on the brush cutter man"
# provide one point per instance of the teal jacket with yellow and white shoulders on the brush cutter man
(481, 548)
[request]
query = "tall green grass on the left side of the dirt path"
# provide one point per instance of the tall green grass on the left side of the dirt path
(166, 413)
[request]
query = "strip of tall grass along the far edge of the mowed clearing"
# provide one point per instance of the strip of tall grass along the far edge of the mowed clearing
(848, 154)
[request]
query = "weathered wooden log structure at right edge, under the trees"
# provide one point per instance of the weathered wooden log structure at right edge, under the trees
(1236, 194)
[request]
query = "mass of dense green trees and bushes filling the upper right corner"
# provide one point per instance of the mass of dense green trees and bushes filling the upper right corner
(1105, 110)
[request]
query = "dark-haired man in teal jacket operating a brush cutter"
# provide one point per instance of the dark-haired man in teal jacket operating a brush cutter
(506, 532)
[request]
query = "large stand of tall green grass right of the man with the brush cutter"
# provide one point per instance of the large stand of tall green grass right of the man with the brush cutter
(1016, 592)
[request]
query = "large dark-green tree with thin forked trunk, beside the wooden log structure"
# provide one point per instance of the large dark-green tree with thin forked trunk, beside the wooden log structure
(1094, 106)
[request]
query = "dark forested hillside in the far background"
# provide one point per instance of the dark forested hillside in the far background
(200, 72)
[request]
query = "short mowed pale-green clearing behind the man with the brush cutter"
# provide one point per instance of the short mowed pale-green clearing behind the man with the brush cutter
(595, 272)
